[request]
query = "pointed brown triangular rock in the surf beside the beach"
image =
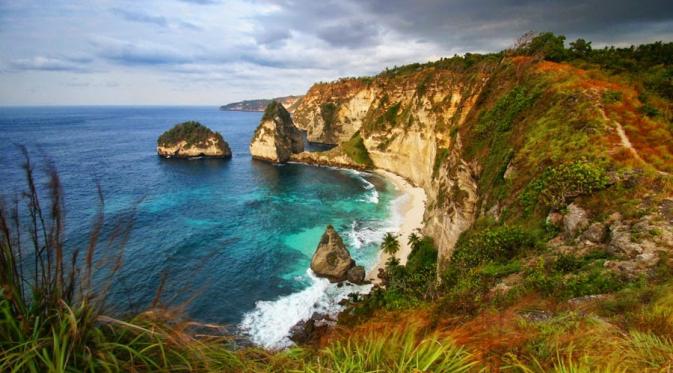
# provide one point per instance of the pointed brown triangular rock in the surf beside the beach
(331, 258)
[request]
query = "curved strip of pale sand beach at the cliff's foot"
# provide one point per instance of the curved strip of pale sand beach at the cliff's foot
(411, 212)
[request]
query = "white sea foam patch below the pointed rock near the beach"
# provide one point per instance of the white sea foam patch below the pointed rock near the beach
(269, 324)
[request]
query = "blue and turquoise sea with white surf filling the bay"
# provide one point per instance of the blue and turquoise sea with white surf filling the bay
(234, 238)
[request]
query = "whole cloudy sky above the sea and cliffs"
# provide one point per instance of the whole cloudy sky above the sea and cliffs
(211, 52)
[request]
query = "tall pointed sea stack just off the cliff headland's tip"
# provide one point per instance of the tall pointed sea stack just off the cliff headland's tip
(276, 137)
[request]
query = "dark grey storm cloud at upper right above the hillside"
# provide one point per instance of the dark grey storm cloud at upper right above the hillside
(473, 23)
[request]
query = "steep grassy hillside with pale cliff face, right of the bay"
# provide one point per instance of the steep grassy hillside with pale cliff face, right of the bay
(548, 175)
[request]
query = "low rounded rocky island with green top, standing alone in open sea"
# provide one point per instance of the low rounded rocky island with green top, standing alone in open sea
(192, 139)
